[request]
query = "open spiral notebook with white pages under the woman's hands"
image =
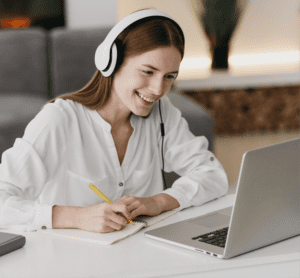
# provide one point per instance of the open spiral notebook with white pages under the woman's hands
(110, 238)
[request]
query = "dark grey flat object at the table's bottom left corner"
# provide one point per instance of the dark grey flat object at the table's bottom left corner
(10, 242)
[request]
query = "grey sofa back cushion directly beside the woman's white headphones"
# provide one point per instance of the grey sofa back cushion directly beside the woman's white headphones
(72, 57)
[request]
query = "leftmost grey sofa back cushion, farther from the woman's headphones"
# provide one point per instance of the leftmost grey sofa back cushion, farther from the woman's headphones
(23, 61)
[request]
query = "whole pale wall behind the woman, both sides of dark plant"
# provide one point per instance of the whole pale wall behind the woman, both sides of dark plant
(266, 27)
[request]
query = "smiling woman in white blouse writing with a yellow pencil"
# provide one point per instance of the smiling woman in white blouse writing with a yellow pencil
(109, 134)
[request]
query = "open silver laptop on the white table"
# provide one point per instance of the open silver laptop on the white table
(266, 208)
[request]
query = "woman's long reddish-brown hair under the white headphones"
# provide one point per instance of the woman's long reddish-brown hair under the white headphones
(144, 35)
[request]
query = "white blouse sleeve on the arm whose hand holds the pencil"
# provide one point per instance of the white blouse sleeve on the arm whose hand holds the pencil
(26, 167)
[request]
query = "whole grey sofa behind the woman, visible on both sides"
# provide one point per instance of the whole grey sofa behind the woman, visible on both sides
(36, 65)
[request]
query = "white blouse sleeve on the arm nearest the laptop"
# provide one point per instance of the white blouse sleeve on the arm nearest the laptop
(202, 176)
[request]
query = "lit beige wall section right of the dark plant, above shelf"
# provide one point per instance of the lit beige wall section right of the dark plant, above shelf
(269, 35)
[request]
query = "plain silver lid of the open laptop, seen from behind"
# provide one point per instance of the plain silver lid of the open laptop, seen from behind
(267, 207)
